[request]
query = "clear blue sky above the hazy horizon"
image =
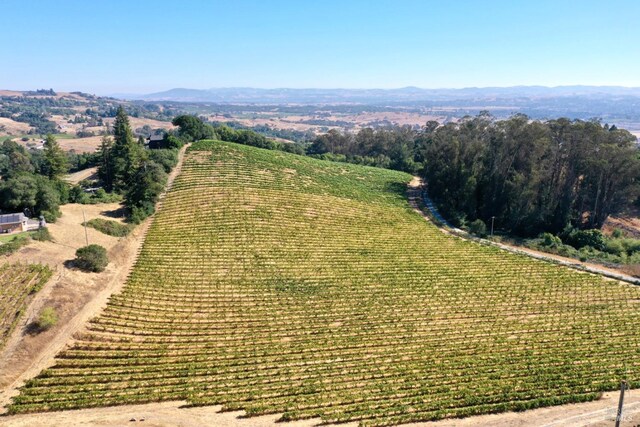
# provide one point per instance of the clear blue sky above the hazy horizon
(138, 46)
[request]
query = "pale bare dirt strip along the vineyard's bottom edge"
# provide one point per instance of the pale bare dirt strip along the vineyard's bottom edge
(600, 413)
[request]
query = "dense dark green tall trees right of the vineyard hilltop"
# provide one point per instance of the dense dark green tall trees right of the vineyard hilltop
(530, 176)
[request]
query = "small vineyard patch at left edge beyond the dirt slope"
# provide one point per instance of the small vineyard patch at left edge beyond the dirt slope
(18, 282)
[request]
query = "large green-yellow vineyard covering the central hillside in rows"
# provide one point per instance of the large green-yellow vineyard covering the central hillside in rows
(276, 283)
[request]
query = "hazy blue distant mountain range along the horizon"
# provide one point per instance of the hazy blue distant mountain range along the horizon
(407, 95)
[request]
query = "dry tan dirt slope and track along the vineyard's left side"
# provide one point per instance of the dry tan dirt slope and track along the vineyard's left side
(77, 297)
